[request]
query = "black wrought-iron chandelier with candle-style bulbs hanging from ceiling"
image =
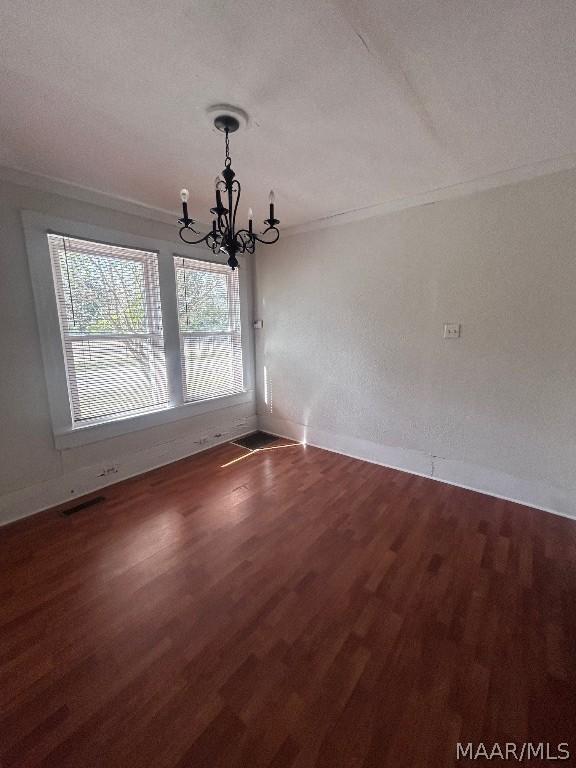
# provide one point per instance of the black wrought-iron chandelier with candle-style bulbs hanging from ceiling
(224, 237)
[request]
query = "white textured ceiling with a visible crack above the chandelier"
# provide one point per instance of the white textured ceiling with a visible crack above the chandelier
(352, 103)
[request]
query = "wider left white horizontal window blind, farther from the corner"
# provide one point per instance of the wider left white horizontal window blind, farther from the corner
(111, 326)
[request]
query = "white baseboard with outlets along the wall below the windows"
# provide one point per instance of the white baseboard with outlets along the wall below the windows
(59, 490)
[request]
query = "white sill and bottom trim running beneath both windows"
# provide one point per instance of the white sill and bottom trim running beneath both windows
(73, 437)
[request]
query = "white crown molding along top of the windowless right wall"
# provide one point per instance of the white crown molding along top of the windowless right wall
(499, 179)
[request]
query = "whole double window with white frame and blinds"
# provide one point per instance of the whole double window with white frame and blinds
(133, 336)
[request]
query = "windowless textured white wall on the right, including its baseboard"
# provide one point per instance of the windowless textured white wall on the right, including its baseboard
(355, 360)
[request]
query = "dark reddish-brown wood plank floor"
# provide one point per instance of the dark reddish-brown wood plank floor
(294, 608)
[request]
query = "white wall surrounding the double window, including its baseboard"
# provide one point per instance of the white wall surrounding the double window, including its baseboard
(33, 474)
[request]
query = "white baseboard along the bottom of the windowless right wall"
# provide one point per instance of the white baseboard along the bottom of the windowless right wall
(537, 494)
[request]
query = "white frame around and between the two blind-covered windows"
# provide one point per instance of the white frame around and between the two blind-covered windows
(66, 434)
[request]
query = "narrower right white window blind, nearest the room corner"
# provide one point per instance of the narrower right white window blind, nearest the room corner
(210, 333)
